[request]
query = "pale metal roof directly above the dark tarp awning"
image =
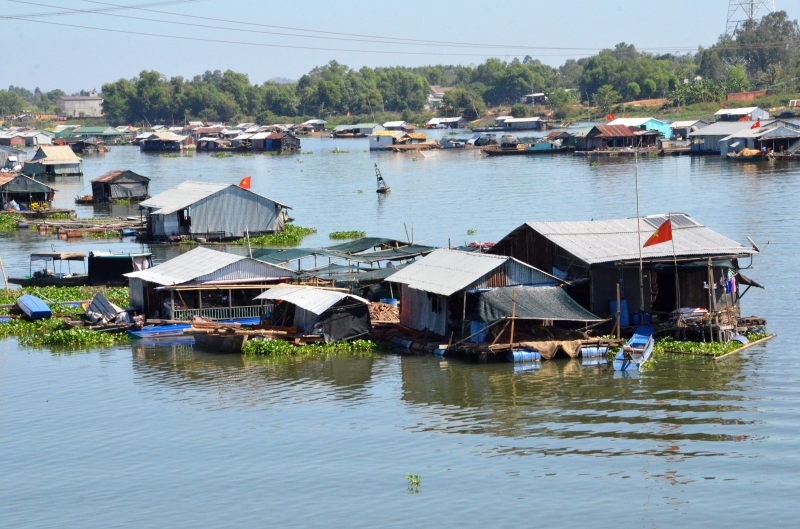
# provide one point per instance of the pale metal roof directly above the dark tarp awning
(447, 271)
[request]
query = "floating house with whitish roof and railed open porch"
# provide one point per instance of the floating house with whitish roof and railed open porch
(204, 283)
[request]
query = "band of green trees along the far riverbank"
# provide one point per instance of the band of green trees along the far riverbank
(621, 80)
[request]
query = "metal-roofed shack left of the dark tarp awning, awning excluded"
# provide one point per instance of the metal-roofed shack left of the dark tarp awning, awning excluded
(433, 290)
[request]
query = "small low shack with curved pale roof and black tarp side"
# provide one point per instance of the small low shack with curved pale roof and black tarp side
(334, 315)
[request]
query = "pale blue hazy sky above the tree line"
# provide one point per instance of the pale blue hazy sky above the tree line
(50, 55)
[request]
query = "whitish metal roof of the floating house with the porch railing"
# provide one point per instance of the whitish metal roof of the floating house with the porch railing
(200, 262)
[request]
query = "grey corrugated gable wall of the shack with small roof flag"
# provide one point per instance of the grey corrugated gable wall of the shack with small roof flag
(232, 210)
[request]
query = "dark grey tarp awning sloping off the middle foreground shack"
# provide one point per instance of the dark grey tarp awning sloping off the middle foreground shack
(541, 303)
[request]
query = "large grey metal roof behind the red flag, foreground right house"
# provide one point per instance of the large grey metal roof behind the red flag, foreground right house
(602, 241)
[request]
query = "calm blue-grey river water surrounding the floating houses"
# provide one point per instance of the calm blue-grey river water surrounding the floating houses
(148, 436)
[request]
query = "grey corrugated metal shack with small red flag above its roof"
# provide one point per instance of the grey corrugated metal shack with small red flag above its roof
(211, 211)
